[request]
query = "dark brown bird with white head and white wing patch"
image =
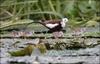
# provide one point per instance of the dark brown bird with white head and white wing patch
(55, 26)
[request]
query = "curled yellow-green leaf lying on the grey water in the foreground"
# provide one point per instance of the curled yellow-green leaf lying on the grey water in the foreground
(28, 50)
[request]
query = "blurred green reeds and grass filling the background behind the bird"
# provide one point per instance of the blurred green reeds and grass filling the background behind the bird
(79, 12)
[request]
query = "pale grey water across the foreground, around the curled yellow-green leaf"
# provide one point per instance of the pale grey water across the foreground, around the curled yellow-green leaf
(80, 56)
